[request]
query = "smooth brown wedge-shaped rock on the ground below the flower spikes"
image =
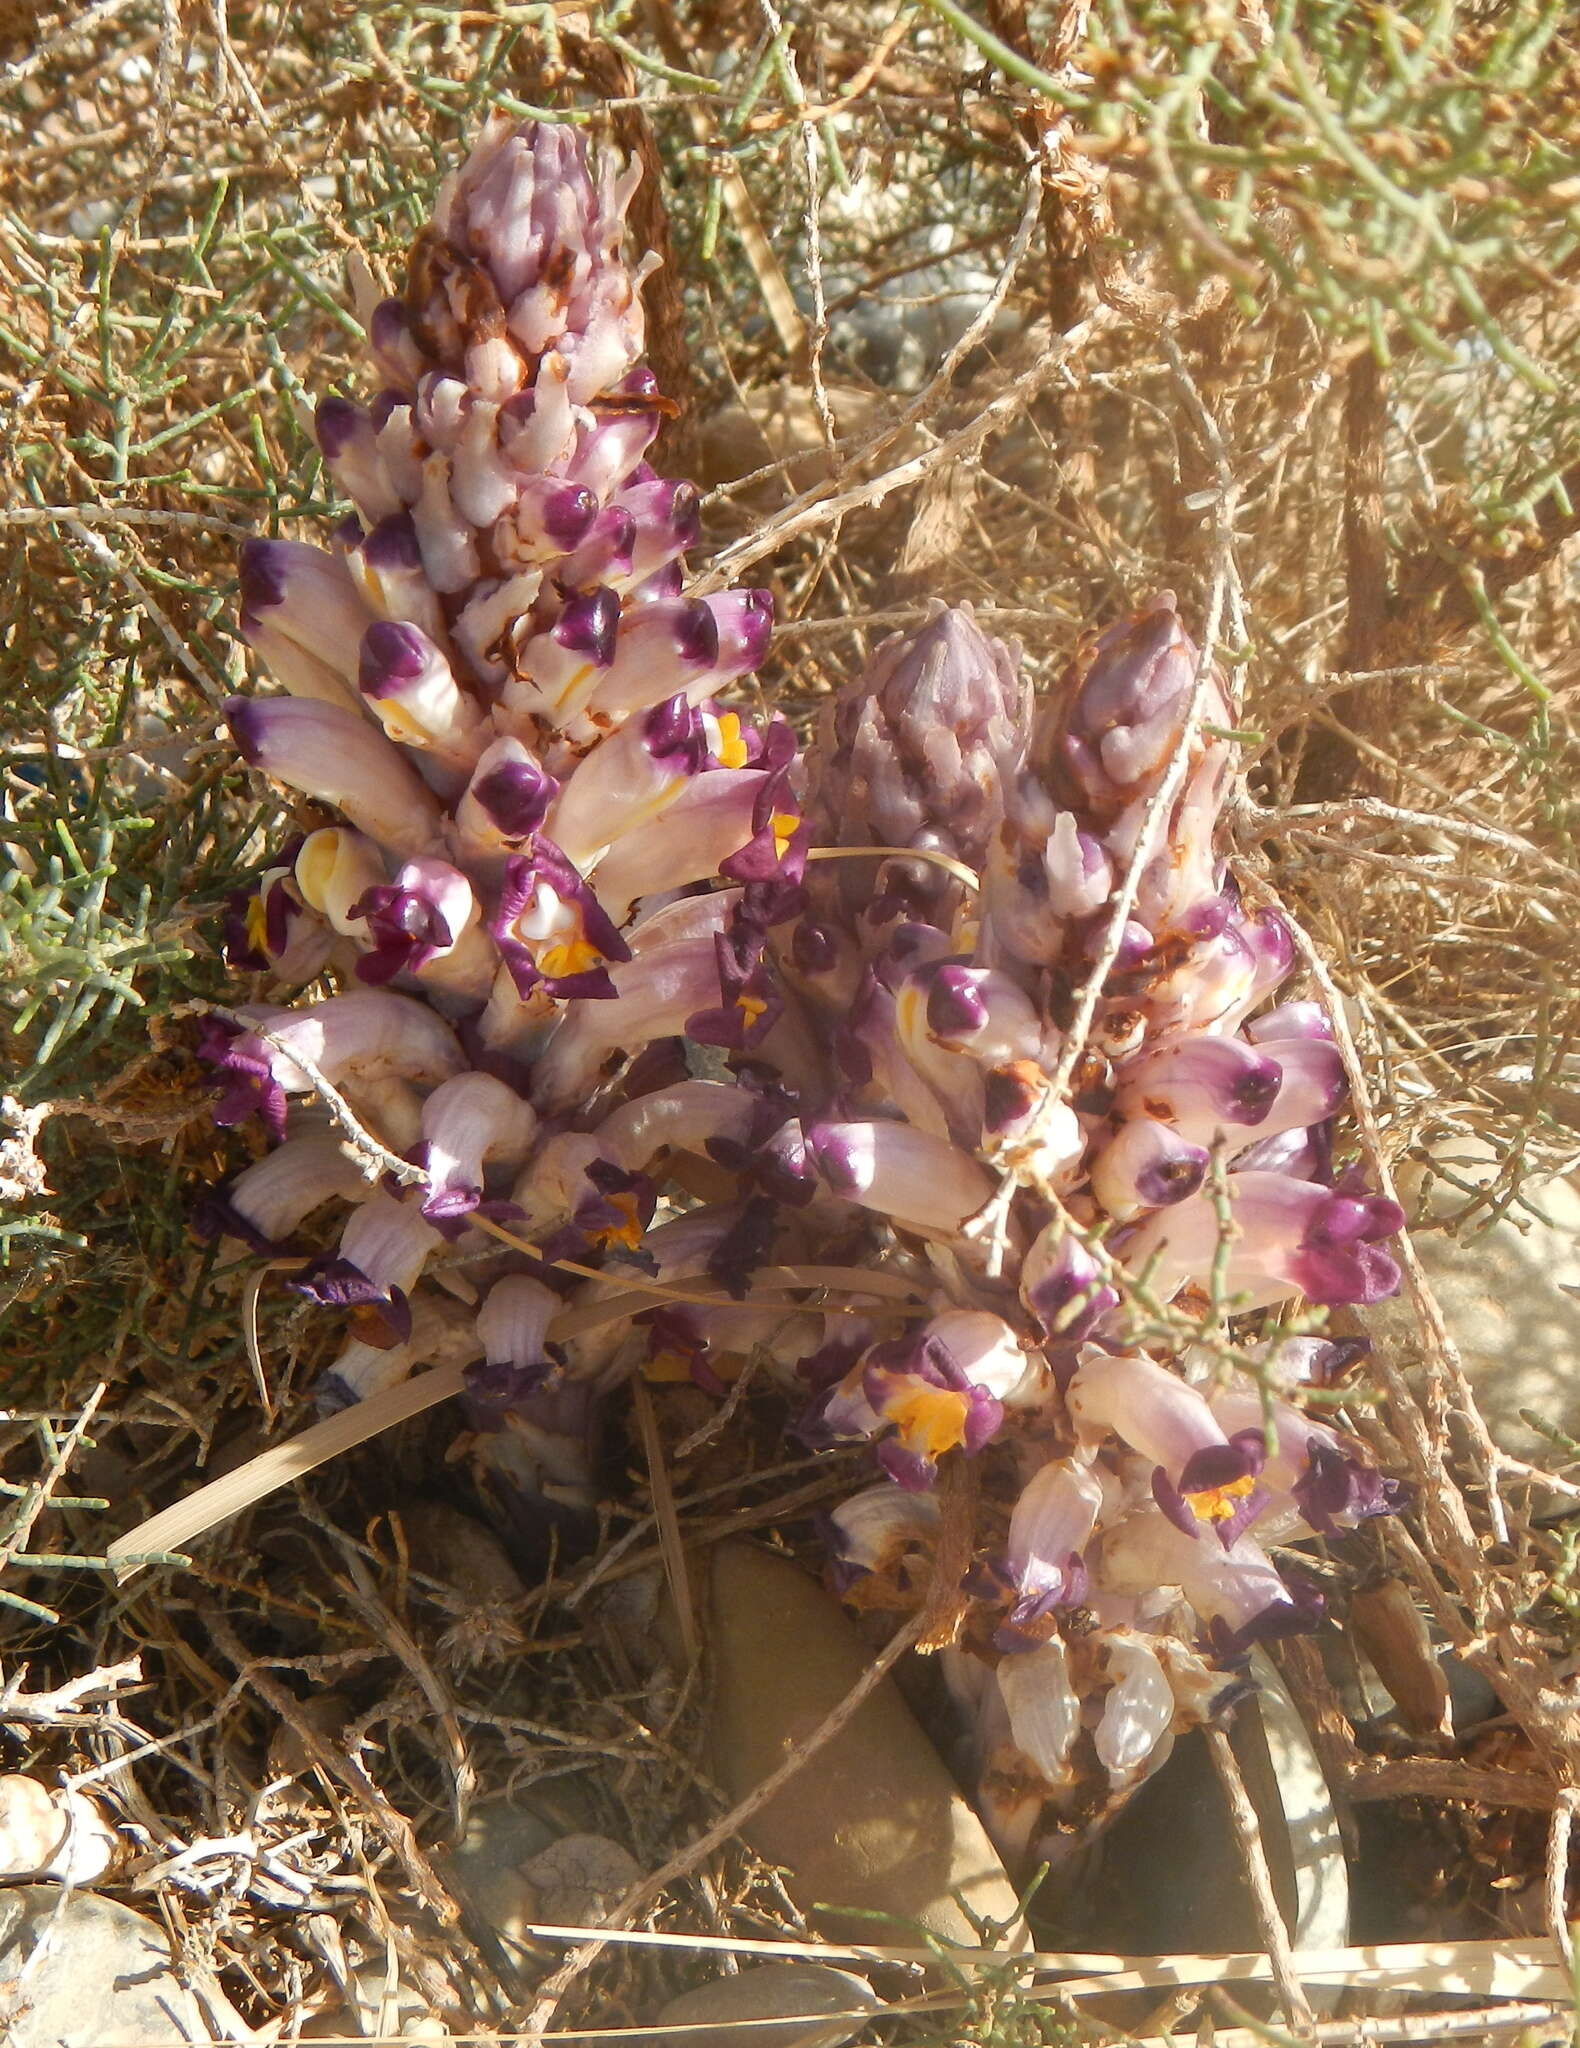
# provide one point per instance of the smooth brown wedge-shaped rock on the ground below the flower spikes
(874, 1820)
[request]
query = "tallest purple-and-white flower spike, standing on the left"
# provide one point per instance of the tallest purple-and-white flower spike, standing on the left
(503, 689)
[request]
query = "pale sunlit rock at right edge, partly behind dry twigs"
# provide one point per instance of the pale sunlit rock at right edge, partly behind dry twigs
(1503, 1293)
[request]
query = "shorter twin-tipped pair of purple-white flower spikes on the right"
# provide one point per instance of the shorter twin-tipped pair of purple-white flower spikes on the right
(1128, 1486)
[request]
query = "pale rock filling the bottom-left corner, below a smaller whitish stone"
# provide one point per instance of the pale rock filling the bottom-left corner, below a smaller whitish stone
(79, 1971)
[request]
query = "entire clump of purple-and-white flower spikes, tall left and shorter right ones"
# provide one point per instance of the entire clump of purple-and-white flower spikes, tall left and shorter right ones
(591, 986)
